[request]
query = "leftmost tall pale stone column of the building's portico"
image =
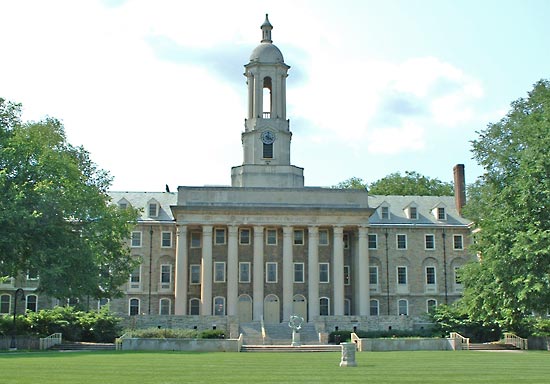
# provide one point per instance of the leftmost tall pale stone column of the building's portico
(180, 285)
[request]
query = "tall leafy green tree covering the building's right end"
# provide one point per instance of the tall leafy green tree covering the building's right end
(511, 206)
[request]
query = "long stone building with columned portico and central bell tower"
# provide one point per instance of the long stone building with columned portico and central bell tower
(267, 246)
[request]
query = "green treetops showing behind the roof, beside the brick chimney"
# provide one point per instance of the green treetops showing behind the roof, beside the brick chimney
(412, 184)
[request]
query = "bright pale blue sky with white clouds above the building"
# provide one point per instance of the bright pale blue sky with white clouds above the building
(155, 91)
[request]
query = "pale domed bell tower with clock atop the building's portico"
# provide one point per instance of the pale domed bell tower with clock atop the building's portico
(266, 138)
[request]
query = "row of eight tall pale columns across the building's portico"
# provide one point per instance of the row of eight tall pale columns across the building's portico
(361, 275)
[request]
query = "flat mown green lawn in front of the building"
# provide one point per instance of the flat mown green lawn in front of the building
(177, 367)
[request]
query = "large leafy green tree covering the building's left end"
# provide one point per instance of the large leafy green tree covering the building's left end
(57, 220)
